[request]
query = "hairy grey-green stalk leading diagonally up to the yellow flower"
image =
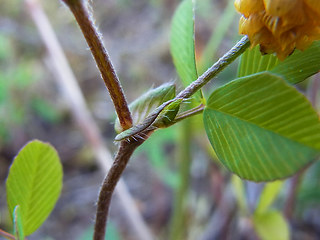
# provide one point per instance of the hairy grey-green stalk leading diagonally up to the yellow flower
(216, 68)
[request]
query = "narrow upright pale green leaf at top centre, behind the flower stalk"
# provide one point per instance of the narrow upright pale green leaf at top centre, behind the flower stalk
(182, 43)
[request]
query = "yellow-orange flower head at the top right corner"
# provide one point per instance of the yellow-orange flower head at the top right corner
(280, 26)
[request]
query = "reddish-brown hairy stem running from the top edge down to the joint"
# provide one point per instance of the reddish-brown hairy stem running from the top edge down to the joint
(84, 18)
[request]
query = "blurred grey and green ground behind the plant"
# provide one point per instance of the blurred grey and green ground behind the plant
(197, 192)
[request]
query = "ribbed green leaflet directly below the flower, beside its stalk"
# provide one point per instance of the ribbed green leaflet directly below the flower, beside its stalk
(252, 61)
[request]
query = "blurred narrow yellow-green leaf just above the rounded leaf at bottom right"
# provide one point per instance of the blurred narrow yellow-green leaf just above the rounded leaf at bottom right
(268, 195)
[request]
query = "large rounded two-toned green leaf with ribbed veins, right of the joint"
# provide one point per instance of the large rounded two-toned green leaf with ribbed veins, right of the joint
(261, 128)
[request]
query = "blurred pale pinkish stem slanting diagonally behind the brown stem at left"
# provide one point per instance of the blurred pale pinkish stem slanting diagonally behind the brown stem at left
(72, 94)
